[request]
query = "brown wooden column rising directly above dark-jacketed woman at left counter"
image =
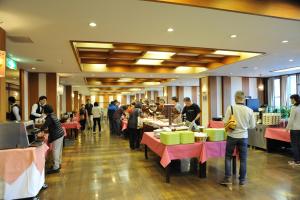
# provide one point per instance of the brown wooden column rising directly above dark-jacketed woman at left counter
(51, 90)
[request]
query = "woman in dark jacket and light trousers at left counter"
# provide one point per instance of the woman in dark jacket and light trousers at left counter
(56, 137)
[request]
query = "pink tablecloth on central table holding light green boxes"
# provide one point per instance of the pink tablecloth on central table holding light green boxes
(202, 151)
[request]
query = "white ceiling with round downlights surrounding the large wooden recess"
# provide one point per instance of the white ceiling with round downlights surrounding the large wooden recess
(51, 24)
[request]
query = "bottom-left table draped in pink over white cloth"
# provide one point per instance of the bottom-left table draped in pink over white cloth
(22, 172)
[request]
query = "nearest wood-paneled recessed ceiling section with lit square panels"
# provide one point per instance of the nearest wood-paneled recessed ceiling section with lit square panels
(127, 57)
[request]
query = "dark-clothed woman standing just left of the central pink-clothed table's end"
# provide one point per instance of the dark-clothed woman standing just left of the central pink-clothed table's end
(134, 132)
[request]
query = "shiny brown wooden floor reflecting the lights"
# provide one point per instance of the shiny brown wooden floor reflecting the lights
(103, 167)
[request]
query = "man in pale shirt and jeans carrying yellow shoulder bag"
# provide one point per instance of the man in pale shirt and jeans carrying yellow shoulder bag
(238, 138)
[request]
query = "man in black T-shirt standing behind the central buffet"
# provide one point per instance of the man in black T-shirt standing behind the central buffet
(192, 111)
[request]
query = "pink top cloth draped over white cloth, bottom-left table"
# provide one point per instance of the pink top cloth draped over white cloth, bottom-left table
(15, 161)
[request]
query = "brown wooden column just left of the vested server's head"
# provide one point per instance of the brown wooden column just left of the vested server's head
(33, 89)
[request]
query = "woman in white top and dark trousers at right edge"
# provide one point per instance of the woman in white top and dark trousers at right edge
(294, 128)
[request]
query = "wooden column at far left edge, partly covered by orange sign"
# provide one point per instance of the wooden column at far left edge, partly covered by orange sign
(3, 99)
